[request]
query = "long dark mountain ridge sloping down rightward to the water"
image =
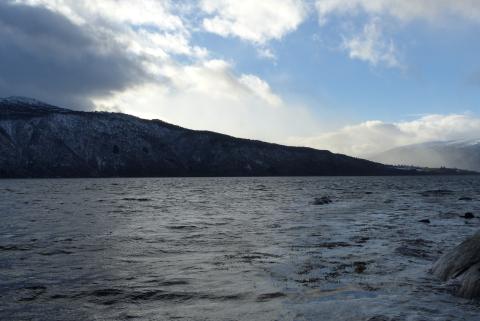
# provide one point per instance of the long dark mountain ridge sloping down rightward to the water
(40, 140)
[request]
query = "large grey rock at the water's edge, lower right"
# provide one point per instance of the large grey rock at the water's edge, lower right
(462, 262)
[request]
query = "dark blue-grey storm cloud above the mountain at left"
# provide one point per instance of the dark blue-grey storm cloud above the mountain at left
(45, 56)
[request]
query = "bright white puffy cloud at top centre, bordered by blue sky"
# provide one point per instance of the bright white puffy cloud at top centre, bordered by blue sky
(253, 20)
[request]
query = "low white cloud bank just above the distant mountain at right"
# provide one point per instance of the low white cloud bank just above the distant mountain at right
(372, 137)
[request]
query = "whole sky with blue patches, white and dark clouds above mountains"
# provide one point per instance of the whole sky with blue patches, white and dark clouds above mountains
(352, 76)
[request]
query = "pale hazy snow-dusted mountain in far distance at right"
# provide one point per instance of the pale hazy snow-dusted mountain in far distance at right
(464, 154)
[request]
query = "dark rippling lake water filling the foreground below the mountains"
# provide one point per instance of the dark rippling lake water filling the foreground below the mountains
(232, 248)
